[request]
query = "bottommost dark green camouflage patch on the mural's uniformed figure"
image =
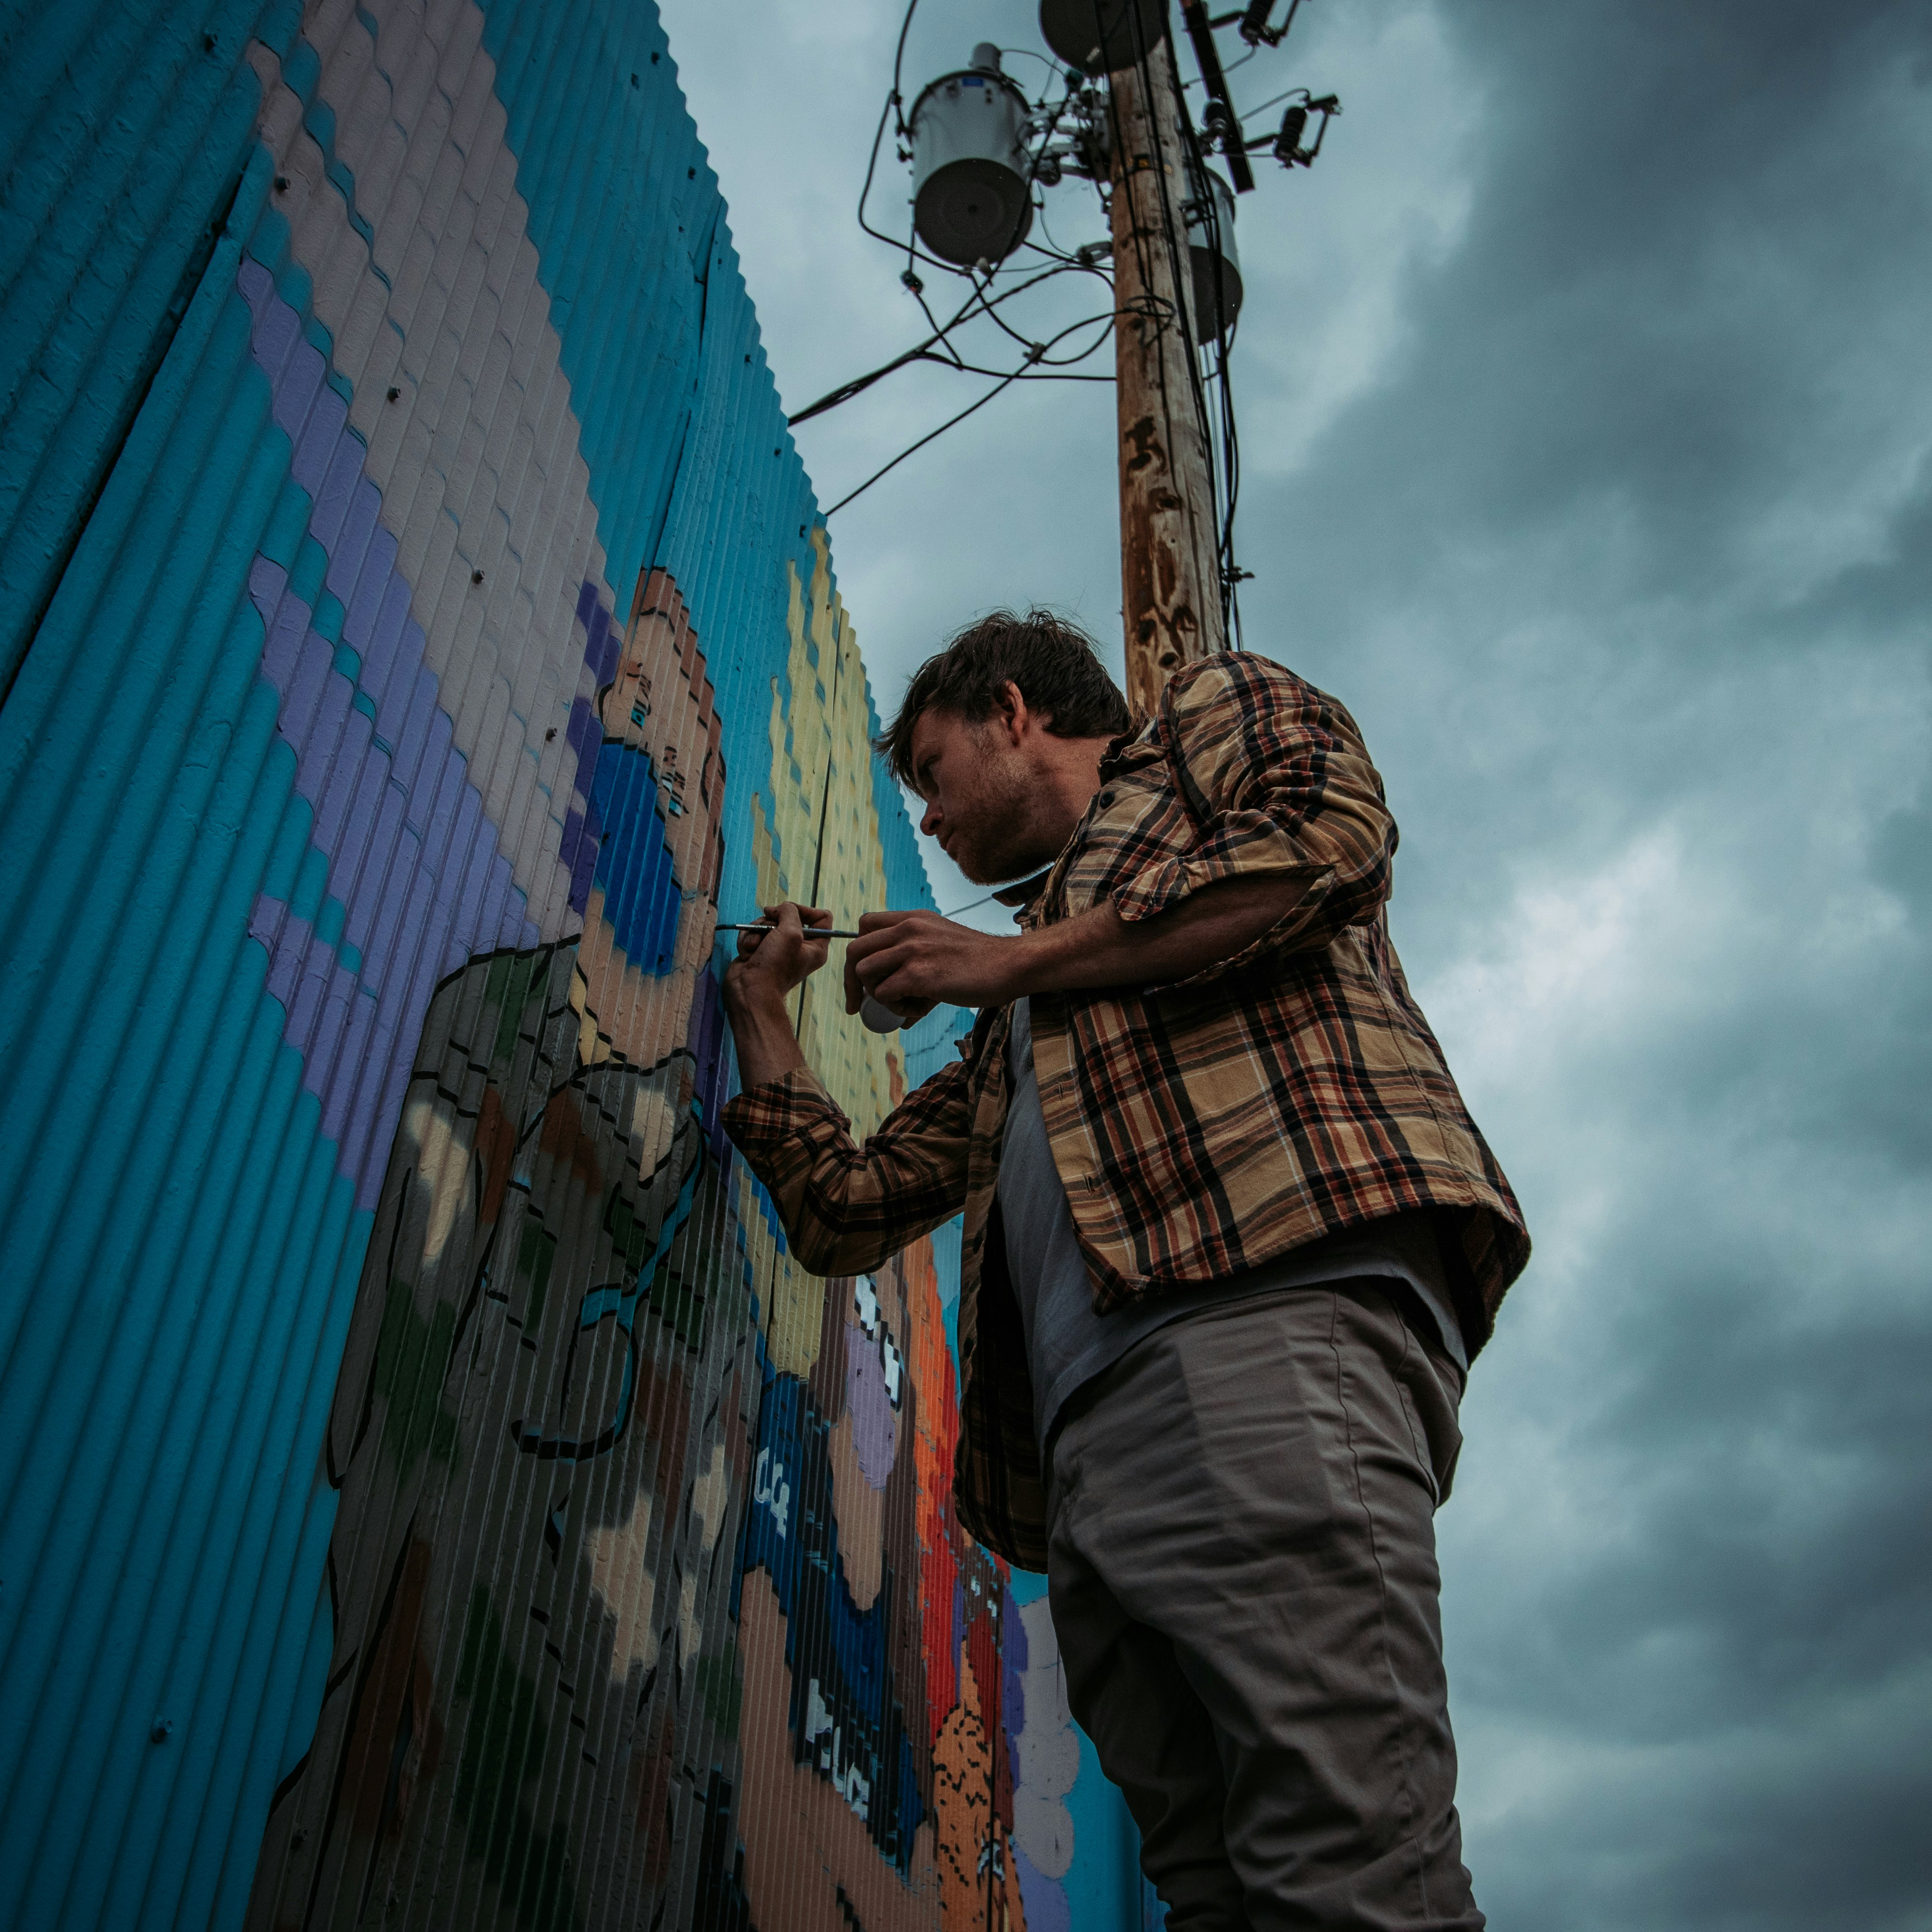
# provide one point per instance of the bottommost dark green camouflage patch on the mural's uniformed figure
(503, 1751)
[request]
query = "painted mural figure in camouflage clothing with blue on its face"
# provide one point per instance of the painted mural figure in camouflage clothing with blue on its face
(542, 1423)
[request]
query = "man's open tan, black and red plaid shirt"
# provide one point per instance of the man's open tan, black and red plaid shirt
(1201, 1127)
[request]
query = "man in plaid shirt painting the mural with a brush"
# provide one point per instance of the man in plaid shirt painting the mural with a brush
(1230, 1243)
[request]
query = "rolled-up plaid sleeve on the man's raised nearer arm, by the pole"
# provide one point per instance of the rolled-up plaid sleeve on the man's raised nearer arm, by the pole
(1280, 787)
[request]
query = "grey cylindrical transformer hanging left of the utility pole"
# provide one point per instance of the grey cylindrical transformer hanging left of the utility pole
(973, 194)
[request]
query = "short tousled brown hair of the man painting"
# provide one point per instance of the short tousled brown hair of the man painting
(1056, 666)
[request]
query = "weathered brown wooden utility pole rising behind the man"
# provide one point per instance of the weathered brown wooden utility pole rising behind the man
(1170, 559)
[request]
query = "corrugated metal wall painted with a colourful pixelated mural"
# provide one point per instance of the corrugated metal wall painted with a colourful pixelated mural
(438, 1496)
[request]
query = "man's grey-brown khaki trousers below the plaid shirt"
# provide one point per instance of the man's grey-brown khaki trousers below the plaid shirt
(1243, 1583)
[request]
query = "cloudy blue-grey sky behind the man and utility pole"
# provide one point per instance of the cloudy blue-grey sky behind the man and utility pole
(1587, 411)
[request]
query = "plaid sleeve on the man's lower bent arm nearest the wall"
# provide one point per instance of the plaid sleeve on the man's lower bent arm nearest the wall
(849, 1208)
